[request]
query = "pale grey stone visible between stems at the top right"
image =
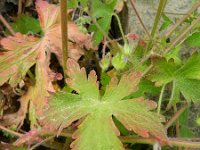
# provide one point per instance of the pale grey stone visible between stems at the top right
(147, 10)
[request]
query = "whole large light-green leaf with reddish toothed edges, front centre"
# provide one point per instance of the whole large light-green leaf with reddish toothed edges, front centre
(134, 114)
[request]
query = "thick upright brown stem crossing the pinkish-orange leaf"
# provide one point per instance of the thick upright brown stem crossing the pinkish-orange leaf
(64, 32)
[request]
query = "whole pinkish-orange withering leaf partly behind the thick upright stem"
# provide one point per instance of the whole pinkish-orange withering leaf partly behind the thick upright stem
(25, 51)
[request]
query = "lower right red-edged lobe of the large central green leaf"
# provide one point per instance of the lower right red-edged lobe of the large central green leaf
(124, 111)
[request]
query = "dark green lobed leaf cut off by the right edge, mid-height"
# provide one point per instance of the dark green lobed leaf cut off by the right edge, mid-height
(185, 77)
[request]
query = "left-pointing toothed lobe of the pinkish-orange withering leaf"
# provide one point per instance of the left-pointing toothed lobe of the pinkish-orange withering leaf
(21, 54)
